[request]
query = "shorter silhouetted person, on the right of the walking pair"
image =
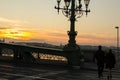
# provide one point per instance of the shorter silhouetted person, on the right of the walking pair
(110, 62)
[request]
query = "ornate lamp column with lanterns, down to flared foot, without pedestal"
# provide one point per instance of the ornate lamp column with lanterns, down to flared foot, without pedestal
(73, 12)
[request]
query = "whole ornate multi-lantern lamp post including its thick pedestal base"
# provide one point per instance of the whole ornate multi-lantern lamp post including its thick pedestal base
(75, 11)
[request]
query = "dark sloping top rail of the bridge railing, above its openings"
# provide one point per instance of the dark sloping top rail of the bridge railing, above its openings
(29, 48)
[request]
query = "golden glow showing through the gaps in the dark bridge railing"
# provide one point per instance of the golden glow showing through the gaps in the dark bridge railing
(41, 56)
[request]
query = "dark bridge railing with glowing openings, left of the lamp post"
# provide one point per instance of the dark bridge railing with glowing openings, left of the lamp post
(32, 53)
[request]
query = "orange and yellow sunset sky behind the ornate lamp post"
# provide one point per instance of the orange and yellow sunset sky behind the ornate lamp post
(38, 21)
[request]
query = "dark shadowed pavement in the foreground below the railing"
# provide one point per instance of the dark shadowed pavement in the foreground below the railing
(10, 71)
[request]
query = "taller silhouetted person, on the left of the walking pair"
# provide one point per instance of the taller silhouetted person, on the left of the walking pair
(100, 58)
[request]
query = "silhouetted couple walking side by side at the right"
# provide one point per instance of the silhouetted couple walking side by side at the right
(107, 59)
